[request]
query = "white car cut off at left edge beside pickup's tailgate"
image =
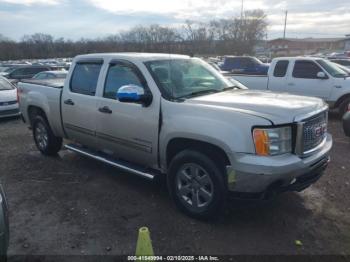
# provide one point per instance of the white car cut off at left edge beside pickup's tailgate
(8, 99)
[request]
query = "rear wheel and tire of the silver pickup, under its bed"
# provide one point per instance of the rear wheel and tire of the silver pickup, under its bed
(47, 143)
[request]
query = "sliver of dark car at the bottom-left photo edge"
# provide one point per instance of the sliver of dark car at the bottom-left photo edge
(4, 226)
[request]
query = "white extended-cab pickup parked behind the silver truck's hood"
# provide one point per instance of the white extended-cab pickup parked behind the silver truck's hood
(307, 76)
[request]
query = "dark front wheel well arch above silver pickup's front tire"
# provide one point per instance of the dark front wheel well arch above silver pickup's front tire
(177, 145)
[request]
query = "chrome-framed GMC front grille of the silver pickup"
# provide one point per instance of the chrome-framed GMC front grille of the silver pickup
(314, 131)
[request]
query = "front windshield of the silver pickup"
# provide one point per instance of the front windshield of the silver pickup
(183, 78)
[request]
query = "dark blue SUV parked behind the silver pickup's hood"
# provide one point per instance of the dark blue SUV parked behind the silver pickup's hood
(244, 65)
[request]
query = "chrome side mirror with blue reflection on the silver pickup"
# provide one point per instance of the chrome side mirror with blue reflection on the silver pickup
(134, 94)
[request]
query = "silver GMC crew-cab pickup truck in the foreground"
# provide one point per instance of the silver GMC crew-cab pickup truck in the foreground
(155, 114)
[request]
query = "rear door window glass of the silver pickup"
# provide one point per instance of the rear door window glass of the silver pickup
(84, 78)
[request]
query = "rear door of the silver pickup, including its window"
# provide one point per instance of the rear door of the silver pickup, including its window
(79, 106)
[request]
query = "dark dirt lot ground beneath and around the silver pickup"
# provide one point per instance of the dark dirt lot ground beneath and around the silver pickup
(74, 205)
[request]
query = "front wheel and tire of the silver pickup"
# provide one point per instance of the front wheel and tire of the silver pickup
(201, 196)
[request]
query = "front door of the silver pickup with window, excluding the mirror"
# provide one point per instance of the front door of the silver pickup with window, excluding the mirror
(129, 131)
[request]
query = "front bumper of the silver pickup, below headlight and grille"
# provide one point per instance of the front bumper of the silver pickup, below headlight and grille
(255, 174)
